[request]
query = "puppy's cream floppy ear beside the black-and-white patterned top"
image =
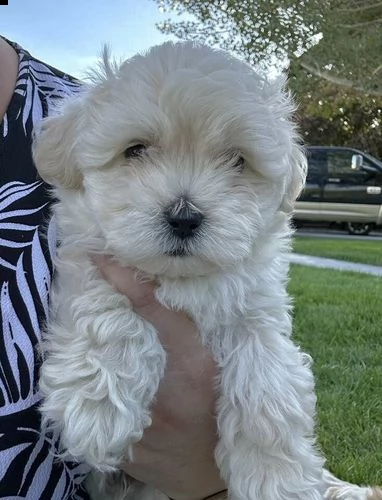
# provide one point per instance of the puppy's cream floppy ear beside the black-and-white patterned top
(54, 147)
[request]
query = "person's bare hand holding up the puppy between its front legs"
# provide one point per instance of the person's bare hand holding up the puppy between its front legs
(176, 453)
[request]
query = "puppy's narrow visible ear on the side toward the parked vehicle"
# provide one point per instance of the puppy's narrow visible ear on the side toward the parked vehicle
(295, 178)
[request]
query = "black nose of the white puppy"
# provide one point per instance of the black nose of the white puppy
(183, 218)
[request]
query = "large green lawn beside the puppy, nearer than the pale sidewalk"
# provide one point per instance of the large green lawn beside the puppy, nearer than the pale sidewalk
(338, 320)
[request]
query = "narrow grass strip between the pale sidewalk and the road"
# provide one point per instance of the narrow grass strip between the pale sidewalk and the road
(367, 252)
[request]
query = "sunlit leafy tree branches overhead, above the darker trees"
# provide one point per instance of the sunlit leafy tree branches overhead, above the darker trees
(335, 40)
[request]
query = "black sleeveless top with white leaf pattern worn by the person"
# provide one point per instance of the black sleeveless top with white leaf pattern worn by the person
(28, 468)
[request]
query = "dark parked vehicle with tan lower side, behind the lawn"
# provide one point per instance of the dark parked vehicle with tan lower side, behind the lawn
(344, 185)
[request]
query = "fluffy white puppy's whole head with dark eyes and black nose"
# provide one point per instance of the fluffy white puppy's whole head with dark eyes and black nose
(181, 157)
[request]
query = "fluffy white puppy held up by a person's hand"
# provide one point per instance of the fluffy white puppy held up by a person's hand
(183, 163)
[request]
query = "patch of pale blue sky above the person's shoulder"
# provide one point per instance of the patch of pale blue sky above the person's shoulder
(69, 34)
